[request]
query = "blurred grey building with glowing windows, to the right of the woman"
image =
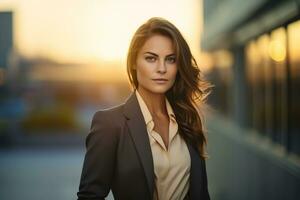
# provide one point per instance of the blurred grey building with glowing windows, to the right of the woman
(254, 136)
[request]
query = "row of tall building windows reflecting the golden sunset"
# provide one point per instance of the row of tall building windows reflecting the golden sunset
(273, 77)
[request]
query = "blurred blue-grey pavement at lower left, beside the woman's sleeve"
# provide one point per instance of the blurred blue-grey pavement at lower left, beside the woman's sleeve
(40, 174)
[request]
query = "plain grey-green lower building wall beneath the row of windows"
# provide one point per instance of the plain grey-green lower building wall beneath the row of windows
(244, 165)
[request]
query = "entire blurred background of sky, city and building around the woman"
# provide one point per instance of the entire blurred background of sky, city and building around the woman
(62, 60)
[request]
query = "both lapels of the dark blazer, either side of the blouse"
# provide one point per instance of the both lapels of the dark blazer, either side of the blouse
(138, 131)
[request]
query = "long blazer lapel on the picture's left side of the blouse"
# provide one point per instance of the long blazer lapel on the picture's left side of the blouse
(139, 134)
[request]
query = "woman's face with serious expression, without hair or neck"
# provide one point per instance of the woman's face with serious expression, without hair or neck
(156, 65)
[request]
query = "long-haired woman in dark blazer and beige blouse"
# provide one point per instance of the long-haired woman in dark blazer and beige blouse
(153, 145)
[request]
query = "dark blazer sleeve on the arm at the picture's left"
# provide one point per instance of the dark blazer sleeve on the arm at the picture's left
(99, 160)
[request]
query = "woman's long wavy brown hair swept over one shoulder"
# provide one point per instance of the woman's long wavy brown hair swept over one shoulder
(189, 86)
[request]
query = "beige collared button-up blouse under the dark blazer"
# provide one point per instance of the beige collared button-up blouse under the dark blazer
(172, 165)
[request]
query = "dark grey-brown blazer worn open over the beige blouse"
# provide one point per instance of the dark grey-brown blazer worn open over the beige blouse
(118, 157)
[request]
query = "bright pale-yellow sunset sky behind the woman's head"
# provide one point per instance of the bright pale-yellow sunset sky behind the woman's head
(94, 30)
